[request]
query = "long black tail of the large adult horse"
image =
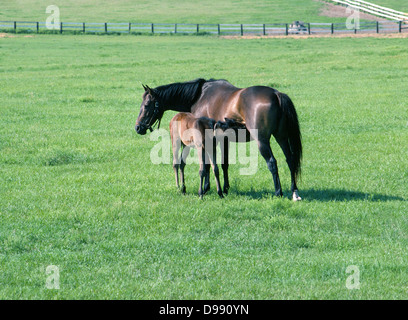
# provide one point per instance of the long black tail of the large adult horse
(295, 137)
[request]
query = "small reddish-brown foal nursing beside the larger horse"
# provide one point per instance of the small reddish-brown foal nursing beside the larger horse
(187, 131)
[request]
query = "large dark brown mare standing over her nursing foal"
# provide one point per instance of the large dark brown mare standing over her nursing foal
(264, 110)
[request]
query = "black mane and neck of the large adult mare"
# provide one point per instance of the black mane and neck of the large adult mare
(180, 94)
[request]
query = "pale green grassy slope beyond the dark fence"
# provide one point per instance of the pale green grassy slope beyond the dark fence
(169, 11)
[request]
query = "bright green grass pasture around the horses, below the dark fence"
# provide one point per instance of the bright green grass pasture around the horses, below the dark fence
(78, 189)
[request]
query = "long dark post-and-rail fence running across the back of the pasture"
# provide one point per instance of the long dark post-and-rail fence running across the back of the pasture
(219, 29)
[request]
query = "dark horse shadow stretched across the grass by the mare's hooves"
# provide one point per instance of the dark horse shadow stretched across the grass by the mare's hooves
(324, 195)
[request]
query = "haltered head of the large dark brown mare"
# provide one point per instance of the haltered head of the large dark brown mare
(150, 112)
